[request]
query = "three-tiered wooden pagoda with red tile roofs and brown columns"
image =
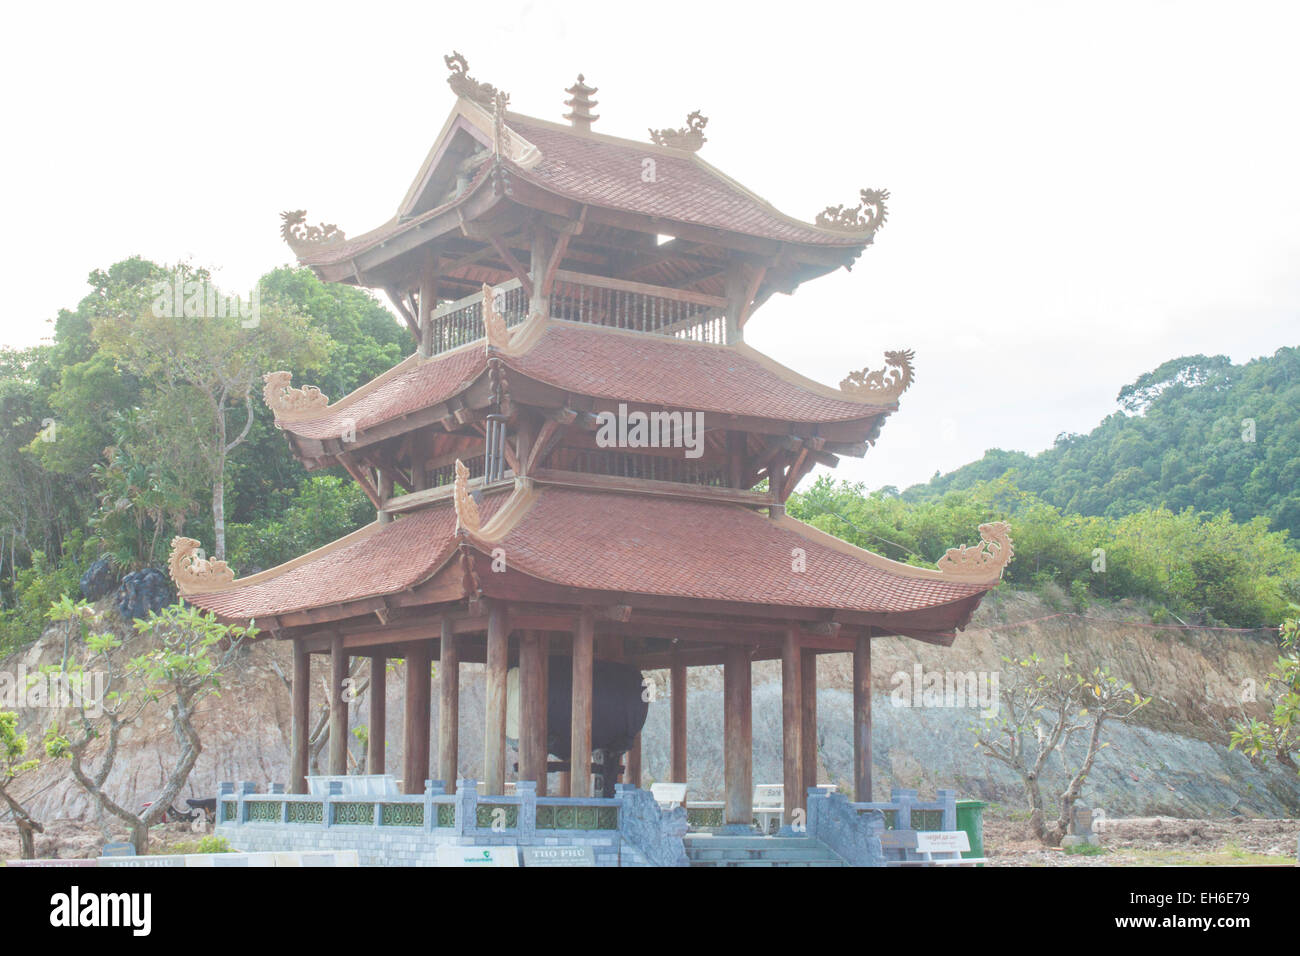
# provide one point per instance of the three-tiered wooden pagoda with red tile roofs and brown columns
(583, 465)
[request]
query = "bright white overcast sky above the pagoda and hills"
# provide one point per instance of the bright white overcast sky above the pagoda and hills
(1080, 191)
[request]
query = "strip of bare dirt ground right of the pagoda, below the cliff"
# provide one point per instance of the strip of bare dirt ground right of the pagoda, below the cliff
(1154, 842)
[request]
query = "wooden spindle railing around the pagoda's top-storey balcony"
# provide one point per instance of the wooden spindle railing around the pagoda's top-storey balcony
(592, 300)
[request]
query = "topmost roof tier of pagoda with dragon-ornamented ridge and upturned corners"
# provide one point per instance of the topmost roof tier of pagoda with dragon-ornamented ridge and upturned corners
(488, 165)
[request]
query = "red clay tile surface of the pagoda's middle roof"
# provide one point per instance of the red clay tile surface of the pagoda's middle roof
(609, 365)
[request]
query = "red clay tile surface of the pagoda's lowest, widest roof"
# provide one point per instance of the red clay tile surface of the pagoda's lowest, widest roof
(612, 542)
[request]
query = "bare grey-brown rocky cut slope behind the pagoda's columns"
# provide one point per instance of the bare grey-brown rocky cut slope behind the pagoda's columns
(1175, 762)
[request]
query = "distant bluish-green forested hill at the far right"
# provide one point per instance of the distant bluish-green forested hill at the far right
(1198, 432)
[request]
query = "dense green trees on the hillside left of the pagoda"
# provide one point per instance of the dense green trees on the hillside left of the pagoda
(128, 429)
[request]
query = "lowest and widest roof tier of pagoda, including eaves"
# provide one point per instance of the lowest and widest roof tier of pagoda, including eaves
(569, 546)
